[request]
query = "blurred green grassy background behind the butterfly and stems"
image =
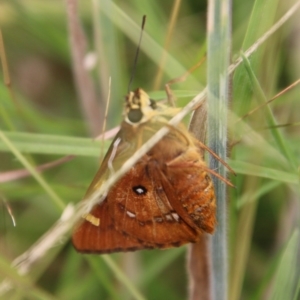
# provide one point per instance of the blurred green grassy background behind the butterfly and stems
(264, 207)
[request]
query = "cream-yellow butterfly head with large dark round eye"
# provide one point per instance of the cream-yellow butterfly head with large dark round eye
(139, 108)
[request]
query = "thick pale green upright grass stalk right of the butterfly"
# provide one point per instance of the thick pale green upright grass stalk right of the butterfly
(218, 60)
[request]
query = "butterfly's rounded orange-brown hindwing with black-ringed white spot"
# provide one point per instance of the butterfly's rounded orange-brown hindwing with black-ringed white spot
(141, 209)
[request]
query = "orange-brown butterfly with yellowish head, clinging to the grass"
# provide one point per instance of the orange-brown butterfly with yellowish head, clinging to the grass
(165, 200)
